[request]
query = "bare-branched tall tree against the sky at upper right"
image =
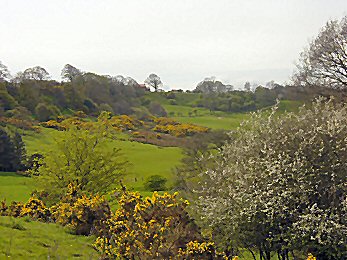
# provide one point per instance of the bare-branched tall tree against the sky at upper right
(324, 62)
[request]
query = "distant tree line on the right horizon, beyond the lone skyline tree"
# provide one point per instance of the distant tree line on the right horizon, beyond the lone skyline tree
(216, 96)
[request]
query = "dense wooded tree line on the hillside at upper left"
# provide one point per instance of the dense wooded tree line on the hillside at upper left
(32, 92)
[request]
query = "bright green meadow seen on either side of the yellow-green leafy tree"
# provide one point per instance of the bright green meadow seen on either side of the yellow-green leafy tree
(144, 159)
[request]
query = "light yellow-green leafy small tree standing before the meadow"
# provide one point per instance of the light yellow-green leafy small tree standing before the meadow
(81, 158)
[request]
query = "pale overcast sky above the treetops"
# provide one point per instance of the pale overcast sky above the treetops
(183, 41)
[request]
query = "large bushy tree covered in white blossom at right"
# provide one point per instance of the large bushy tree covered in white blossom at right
(280, 184)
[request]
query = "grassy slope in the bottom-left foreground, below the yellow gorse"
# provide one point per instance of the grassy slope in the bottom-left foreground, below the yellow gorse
(35, 240)
